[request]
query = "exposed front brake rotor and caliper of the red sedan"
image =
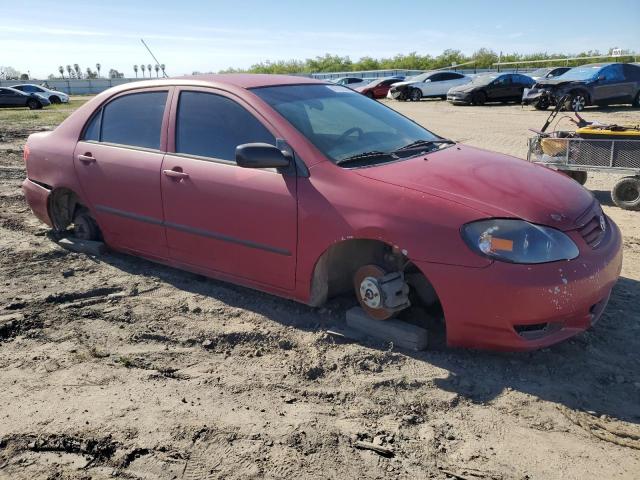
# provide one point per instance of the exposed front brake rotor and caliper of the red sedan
(381, 295)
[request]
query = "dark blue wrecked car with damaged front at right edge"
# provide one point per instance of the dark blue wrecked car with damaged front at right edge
(592, 84)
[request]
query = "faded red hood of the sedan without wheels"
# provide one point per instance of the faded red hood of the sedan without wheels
(494, 184)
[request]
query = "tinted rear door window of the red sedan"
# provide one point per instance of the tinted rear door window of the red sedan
(134, 120)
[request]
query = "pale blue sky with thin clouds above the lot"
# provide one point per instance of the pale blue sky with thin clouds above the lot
(196, 35)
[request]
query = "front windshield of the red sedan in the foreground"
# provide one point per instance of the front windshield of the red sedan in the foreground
(343, 124)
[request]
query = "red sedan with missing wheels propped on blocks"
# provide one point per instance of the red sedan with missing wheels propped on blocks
(308, 190)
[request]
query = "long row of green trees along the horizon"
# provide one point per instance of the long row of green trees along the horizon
(482, 58)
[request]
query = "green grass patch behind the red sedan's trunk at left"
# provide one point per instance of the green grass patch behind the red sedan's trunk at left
(50, 116)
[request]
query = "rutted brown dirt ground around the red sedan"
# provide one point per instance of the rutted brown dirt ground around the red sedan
(118, 367)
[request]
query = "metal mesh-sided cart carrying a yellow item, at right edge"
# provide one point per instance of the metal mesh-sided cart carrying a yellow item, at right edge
(576, 156)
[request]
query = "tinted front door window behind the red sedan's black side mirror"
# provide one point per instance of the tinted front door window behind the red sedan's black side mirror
(210, 125)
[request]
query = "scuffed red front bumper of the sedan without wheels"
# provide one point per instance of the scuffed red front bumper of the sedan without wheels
(525, 307)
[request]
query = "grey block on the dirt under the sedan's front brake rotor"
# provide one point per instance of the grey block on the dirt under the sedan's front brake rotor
(401, 334)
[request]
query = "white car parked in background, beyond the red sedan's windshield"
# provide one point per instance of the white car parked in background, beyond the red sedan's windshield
(427, 85)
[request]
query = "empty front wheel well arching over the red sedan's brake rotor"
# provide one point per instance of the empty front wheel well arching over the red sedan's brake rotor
(335, 269)
